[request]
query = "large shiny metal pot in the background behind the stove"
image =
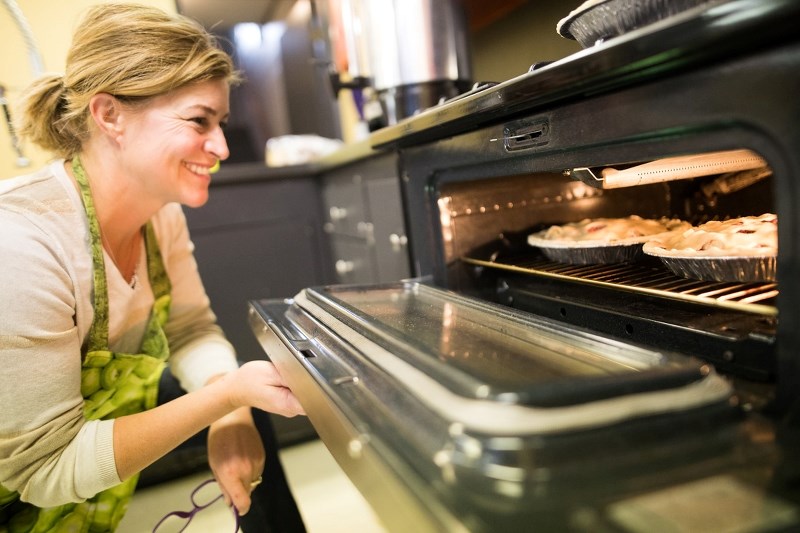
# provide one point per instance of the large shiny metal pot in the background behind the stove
(411, 52)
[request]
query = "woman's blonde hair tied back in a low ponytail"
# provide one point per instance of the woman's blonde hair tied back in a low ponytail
(131, 51)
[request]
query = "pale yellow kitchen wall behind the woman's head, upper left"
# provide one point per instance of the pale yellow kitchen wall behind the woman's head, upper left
(52, 24)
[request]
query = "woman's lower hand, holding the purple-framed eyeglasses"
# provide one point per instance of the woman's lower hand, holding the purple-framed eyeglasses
(236, 456)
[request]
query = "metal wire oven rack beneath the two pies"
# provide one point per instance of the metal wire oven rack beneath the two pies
(646, 278)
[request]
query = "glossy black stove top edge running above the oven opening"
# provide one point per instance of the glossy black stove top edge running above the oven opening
(690, 40)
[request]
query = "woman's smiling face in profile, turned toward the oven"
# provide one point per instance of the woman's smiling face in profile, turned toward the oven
(170, 143)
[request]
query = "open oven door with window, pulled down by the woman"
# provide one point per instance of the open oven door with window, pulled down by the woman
(453, 414)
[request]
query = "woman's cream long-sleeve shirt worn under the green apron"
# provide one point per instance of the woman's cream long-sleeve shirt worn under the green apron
(48, 451)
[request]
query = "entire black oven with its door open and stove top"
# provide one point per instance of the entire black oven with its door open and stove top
(500, 390)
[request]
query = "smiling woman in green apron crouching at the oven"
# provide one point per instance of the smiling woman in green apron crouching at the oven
(99, 284)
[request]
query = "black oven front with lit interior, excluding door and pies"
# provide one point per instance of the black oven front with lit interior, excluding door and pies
(471, 201)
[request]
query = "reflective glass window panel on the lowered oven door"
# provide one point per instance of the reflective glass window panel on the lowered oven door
(484, 350)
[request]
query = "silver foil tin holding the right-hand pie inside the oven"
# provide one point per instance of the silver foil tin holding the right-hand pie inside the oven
(741, 269)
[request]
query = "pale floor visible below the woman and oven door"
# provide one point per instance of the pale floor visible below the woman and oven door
(327, 499)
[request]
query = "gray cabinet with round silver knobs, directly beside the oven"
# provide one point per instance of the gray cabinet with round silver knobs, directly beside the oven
(363, 213)
